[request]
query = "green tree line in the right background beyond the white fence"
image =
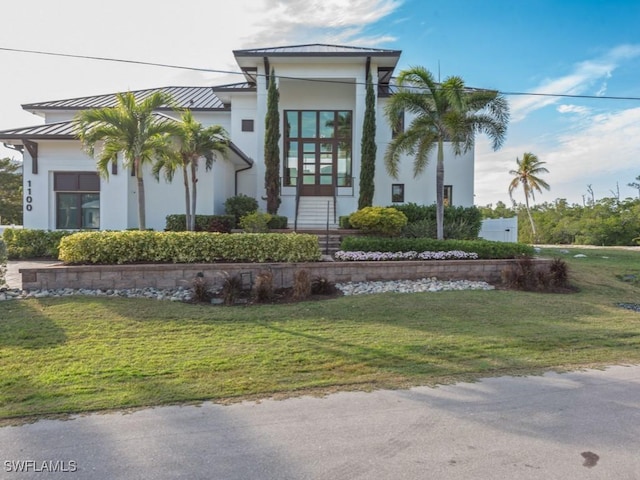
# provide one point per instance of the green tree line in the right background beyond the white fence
(608, 221)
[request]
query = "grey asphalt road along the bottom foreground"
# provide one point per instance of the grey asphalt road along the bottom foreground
(580, 425)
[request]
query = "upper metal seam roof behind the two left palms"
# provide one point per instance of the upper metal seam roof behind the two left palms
(193, 98)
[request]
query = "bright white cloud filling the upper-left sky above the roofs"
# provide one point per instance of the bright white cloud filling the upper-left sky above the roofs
(192, 33)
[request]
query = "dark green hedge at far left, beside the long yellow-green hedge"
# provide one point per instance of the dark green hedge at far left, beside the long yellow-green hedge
(27, 243)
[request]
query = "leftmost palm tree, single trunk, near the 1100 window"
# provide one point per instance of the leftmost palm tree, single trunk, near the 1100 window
(132, 129)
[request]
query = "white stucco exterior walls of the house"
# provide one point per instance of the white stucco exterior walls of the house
(347, 91)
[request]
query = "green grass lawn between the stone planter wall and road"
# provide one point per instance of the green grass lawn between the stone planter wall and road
(82, 354)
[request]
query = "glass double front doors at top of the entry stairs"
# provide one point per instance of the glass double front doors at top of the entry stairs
(317, 167)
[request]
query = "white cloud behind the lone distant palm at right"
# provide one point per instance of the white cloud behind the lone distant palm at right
(603, 151)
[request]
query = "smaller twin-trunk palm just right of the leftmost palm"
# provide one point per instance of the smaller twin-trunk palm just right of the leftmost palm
(193, 142)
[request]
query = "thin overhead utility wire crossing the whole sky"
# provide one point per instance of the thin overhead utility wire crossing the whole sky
(212, 70)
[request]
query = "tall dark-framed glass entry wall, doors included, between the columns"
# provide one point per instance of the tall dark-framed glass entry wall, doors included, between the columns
(317, 146)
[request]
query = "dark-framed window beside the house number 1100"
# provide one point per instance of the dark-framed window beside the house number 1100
(77, 200)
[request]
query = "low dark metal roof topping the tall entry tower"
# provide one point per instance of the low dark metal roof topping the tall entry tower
(316, 49)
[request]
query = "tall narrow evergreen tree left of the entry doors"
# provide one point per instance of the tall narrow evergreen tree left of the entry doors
(271, 148)
